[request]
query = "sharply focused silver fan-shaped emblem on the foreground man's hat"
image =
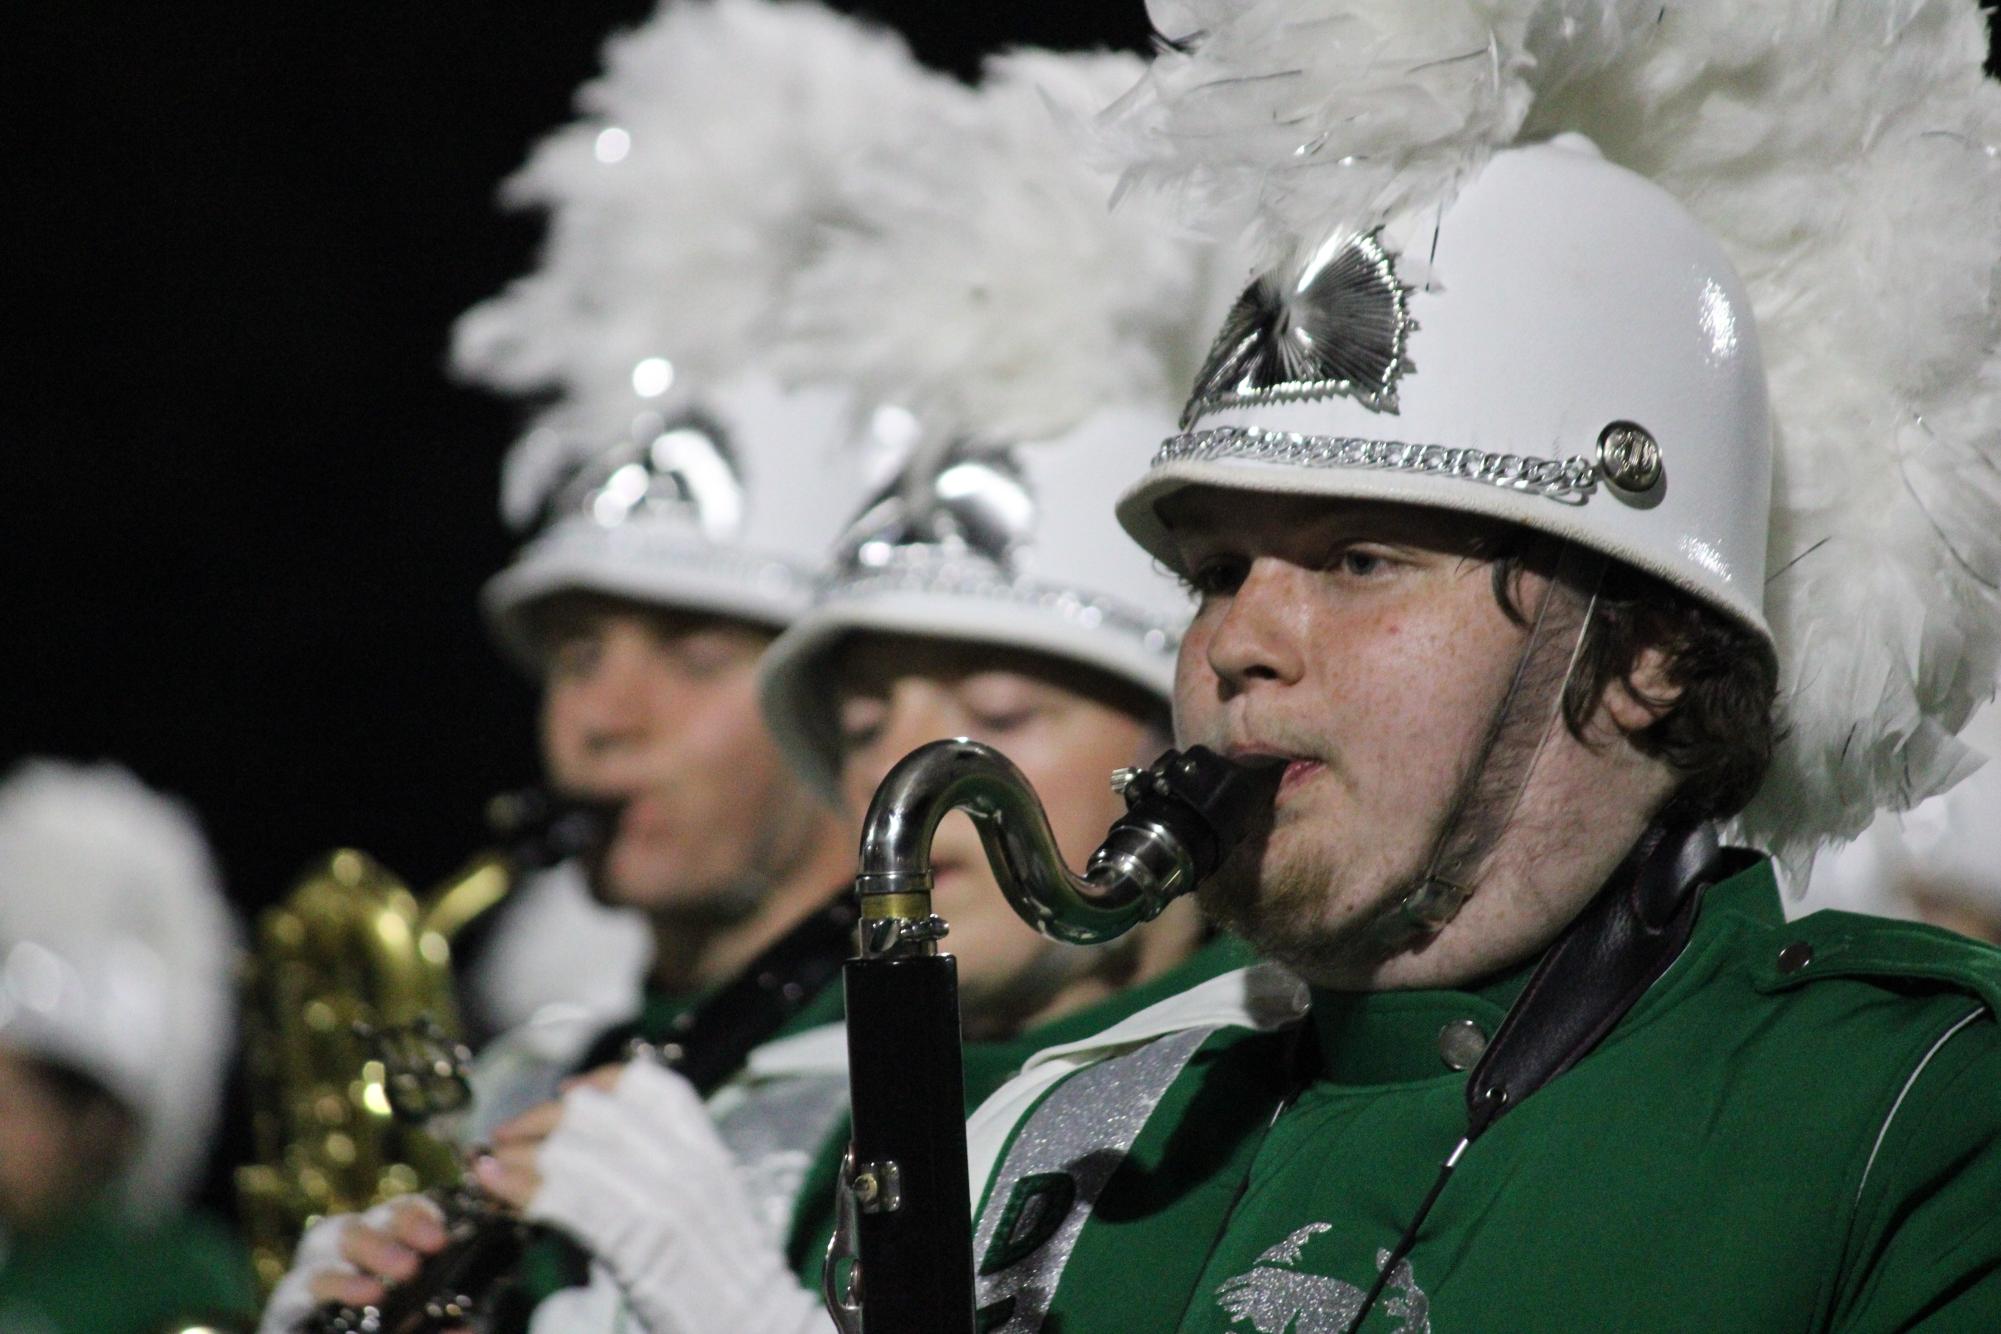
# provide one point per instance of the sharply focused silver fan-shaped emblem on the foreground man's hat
(1340, 327)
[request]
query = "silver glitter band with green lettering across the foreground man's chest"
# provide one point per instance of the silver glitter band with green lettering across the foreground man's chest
(1084, 1129)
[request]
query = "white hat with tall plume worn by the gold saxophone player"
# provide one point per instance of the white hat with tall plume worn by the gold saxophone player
(667, 463)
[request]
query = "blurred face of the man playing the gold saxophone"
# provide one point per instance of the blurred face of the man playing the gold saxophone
(657, 709)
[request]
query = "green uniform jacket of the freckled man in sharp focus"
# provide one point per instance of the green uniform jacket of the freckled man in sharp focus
(1796, 1129)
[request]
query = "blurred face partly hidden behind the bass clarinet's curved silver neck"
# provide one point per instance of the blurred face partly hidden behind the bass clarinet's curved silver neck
(1066, 729)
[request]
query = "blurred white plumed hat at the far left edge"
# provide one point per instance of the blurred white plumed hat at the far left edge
(115, 957)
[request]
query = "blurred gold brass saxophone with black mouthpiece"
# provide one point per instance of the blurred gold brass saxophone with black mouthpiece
(351, 1021)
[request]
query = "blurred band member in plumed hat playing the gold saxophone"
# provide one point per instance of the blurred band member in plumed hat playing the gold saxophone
(677, 505)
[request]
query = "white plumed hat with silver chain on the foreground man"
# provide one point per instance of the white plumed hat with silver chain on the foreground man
(1502, 237)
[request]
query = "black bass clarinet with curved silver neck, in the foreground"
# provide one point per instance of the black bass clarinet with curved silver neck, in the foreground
(901, 1261)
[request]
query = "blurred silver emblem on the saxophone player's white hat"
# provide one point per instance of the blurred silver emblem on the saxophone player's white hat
(669, 467)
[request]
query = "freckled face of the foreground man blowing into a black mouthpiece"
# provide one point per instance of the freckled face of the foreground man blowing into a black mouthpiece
(1366, 645)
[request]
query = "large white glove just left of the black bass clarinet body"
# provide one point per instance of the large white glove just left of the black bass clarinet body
(643, 1181)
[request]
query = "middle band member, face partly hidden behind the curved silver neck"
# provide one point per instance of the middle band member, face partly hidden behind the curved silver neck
(977, 289)
